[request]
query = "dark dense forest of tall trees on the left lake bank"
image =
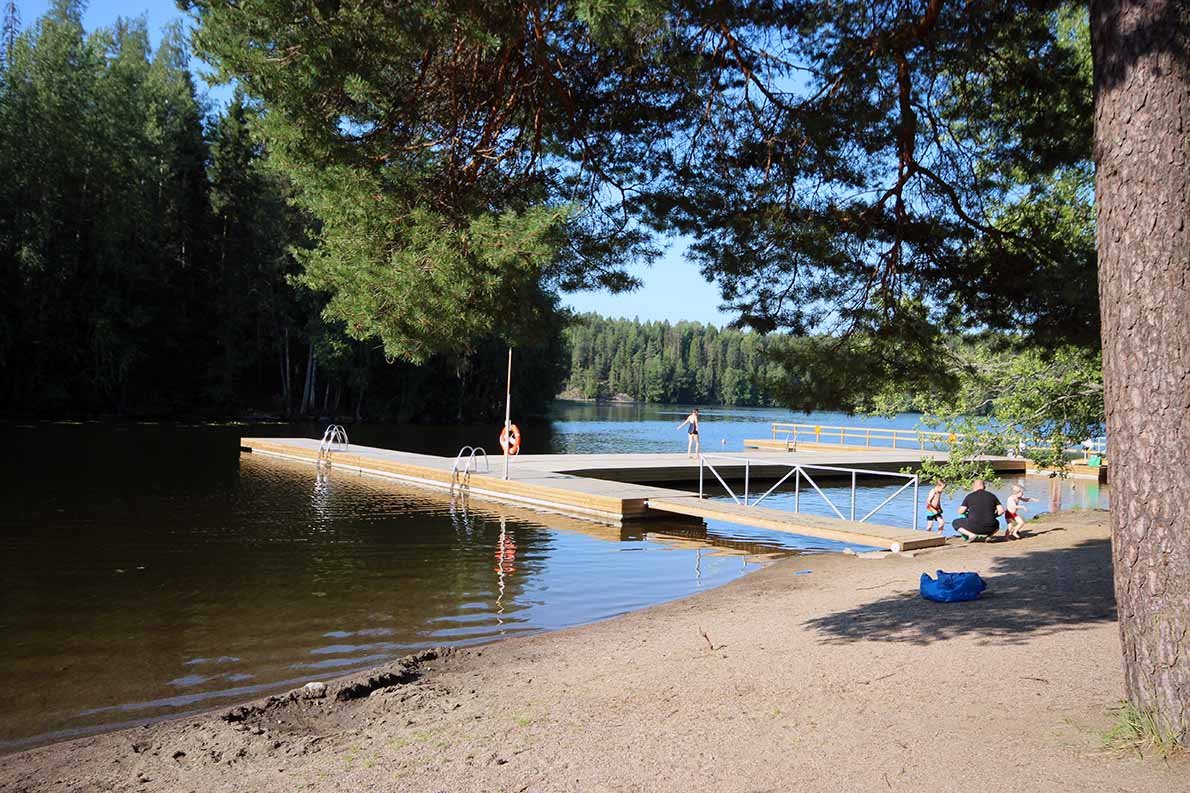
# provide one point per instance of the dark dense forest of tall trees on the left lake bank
(151, 257)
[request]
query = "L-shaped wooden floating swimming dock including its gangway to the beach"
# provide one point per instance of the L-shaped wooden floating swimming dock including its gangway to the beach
(617, 489)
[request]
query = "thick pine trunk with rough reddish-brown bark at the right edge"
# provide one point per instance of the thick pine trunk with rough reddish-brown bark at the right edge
(1143, 191)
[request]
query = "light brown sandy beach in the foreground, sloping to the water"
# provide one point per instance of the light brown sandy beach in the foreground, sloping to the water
(817, 673)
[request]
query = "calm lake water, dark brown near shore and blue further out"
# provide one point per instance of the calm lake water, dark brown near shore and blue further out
(153, 571)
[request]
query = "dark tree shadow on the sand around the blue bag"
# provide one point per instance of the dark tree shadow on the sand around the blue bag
(1035, 595)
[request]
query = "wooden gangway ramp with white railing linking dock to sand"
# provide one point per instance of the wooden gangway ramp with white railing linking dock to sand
(845, 532)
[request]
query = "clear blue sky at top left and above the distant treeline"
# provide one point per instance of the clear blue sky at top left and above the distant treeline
(673, 288)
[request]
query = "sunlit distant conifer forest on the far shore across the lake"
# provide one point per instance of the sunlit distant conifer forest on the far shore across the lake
(659, 363)
